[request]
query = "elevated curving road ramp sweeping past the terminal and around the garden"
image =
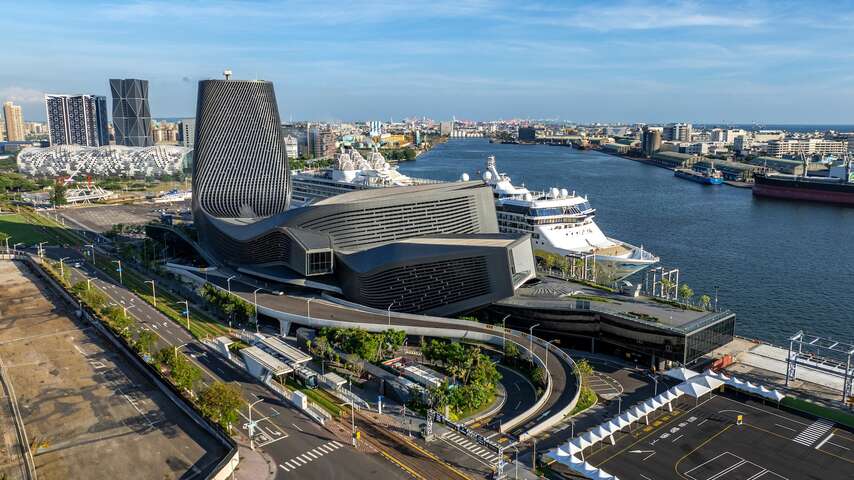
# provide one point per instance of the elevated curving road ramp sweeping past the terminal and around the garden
(562, 376)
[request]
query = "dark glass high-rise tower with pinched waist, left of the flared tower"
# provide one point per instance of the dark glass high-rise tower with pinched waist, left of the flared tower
(131, 113)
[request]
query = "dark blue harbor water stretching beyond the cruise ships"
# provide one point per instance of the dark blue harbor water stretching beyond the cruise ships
(782, 266)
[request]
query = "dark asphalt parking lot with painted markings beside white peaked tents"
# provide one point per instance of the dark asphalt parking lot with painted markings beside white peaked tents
(704, 441)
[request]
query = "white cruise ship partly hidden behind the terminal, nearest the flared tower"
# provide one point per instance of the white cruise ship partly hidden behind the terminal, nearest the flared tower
(351, 171)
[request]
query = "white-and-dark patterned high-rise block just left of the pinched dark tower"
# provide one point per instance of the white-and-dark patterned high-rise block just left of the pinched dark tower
(77, 120)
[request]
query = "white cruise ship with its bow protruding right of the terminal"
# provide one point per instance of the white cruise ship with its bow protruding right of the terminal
(561, 222)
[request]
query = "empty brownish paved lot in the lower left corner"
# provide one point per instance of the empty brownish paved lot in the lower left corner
(90, 413)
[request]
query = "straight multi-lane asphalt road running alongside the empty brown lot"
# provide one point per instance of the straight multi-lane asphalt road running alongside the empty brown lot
(300, 447)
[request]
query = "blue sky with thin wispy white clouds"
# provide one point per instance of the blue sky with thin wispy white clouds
(583, 61)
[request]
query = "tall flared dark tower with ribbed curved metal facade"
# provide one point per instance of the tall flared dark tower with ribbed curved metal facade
(240, 167)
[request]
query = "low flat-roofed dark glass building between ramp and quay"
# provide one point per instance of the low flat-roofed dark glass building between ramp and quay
(582, 326)
